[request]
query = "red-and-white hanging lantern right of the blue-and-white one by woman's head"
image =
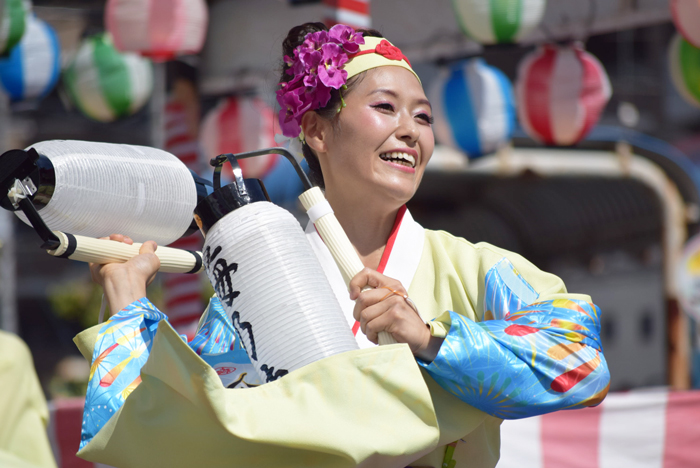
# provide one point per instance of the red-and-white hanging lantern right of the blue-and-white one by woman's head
(561, 92)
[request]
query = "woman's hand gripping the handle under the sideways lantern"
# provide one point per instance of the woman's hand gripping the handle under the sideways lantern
(123, 283)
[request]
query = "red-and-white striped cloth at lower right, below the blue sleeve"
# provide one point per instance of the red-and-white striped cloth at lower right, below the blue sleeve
(640, 429)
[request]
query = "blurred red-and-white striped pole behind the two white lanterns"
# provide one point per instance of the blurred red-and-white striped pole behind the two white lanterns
(183, 293)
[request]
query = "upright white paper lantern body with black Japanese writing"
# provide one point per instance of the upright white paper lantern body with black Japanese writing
(273, 287)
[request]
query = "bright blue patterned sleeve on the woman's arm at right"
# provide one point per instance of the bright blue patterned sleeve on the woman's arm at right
(528, 357)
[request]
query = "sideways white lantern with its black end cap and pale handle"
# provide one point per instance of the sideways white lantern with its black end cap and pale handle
(87, 190)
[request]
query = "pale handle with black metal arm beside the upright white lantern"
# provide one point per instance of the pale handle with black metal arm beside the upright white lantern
(327, 225)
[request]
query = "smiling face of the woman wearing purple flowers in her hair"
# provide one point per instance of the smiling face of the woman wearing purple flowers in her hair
(379, 147)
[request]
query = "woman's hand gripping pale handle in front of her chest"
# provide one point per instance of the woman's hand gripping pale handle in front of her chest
(378, 310)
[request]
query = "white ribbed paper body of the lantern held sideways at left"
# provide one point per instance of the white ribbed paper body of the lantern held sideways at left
(102, 188)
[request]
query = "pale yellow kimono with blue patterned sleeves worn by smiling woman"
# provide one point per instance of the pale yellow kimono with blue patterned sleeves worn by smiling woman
(373, 407)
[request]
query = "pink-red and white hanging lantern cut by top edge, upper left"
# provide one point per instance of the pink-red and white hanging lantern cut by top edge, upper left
(160, 29)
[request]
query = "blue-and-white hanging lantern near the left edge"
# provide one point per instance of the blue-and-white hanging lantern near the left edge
(32, 68)
